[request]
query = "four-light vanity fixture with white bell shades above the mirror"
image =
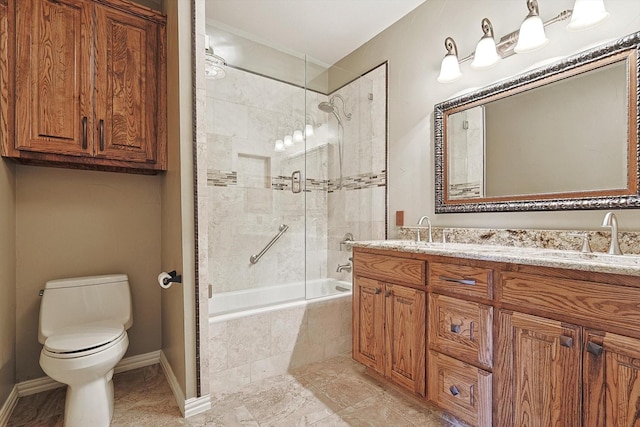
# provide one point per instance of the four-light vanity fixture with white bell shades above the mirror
(530, 37)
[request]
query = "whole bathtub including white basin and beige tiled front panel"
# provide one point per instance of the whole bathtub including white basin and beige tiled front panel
(259, 333)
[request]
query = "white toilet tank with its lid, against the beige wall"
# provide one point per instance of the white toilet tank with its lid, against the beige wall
(81, 300)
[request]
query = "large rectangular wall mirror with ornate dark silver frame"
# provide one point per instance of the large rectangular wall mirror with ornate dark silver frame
(561, 137)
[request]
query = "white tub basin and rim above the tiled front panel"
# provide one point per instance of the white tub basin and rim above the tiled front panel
(251, 301)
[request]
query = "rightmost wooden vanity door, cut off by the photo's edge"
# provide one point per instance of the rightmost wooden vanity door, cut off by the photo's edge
(611, 380)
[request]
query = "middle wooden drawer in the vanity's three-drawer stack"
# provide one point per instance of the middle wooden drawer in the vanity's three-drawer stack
(461, 329)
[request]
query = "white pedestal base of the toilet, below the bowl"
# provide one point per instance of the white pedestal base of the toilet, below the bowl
(89, 404)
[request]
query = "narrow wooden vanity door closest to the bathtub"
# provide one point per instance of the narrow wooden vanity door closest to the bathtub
(368, 323)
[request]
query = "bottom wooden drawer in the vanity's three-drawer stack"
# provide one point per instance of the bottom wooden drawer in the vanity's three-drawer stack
(462, 389)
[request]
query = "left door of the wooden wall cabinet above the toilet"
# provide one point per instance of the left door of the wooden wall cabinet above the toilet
(53, 76)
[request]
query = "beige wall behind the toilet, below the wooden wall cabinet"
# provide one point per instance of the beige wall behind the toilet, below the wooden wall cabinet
(75, 223)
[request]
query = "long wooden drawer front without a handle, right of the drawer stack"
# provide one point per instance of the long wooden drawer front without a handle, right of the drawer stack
(606, 305)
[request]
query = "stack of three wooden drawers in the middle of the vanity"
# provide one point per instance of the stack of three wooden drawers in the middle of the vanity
(460, 340)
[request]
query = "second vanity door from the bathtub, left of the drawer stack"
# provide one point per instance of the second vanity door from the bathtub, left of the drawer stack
(405, 336)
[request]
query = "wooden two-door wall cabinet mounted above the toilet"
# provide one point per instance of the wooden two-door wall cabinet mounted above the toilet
(89, 87)
